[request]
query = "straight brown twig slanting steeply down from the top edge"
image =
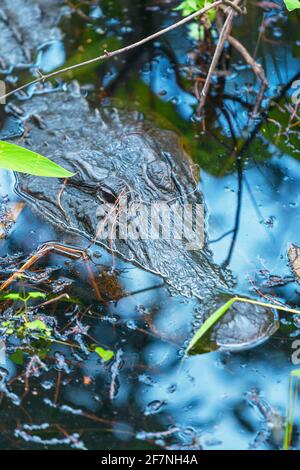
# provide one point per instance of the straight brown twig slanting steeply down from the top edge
(218, 52)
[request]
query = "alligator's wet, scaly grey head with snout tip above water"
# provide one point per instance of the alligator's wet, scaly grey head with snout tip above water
(114, 153)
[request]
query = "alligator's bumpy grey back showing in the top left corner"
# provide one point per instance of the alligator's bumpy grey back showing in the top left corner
(25, 25)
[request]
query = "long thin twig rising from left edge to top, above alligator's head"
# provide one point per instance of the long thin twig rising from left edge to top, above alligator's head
(108, 55)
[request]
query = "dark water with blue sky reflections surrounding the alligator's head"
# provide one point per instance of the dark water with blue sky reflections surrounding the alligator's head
(147, 397)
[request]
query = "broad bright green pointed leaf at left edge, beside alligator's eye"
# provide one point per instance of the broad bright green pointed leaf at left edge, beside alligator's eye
(16, 158)
